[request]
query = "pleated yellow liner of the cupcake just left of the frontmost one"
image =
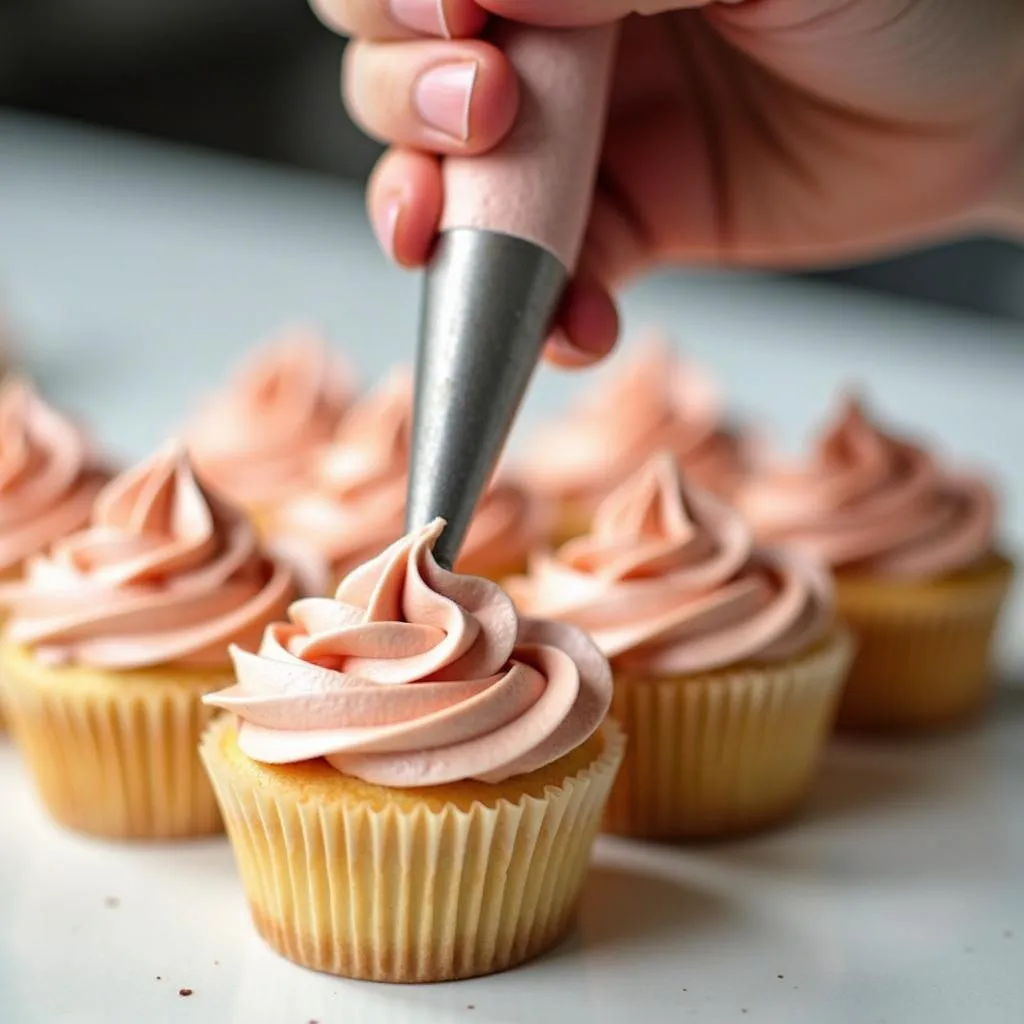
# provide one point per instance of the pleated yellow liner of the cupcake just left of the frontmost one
(117, 761)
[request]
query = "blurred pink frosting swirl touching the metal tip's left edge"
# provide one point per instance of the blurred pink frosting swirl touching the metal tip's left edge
(356, 504)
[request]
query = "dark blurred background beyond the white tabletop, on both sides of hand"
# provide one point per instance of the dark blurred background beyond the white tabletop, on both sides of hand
(260, 78)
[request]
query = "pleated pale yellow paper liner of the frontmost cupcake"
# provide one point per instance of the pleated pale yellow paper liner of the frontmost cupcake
(418, 893)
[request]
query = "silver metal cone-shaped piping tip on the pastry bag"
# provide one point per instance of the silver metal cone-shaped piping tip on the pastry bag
(489, 303)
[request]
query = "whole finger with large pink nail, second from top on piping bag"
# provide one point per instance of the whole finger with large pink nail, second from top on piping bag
(445, 98)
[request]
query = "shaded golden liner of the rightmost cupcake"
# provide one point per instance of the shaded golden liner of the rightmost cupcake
(924, 651)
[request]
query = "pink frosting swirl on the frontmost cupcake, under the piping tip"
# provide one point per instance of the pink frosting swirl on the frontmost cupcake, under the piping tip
(414, 676)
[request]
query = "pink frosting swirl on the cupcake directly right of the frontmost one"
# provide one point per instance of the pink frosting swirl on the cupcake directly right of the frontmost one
(670, 582)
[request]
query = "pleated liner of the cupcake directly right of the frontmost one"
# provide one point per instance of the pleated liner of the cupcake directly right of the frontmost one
(727, 753)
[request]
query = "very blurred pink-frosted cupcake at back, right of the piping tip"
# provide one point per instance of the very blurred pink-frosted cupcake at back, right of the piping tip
(652, 403)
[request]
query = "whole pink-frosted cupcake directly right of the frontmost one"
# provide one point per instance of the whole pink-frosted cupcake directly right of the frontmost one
(728, 659)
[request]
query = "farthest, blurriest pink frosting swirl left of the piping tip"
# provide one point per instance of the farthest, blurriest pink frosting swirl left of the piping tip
(257, 441)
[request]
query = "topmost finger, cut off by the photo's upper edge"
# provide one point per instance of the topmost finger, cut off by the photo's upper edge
(390, 20)
